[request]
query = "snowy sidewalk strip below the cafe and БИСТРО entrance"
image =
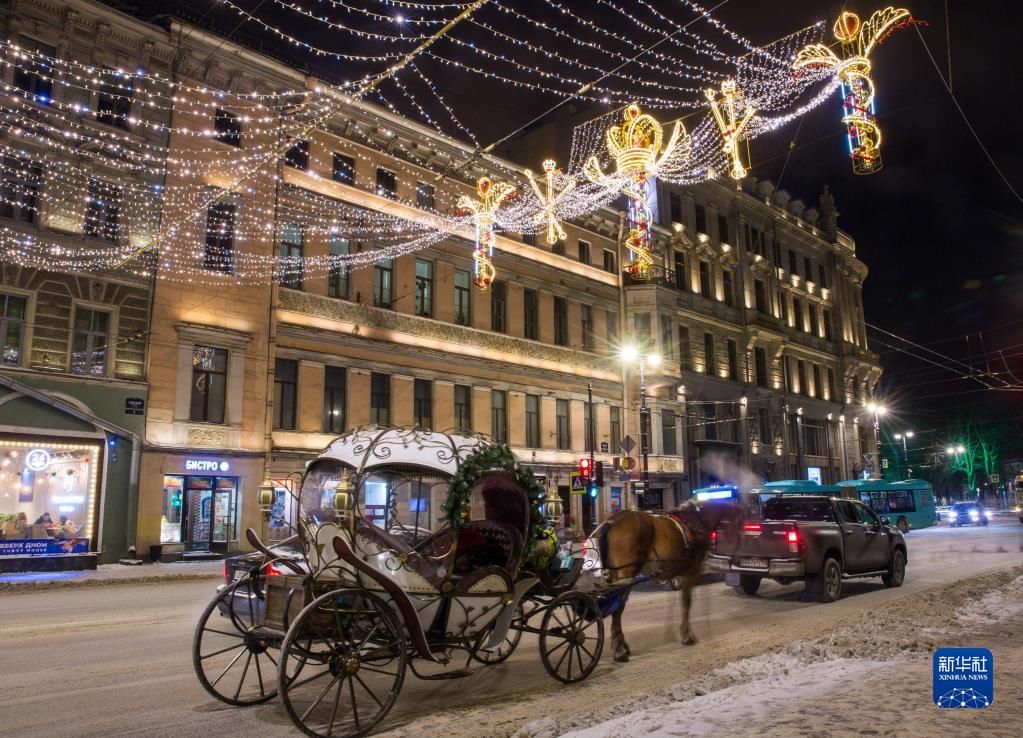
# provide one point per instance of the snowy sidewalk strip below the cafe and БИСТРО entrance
(112, 575)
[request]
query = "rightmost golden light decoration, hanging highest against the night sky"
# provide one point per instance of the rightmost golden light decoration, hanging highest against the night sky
(858, 41)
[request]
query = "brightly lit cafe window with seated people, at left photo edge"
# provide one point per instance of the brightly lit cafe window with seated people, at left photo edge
(51, 491)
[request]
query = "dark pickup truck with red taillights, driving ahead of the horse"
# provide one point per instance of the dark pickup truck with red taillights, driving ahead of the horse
(816, 539)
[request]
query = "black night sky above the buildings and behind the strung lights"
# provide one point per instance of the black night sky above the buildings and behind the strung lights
(939, 229)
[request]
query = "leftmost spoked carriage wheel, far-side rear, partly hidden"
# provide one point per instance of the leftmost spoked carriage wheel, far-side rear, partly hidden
(233, 655)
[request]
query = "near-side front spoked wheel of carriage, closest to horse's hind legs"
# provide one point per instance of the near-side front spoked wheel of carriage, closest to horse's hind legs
(571, 637)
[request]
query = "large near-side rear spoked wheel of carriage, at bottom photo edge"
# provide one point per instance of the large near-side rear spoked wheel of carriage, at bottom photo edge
(354, 658)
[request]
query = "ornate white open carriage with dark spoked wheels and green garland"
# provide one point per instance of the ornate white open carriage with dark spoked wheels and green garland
(378, 592)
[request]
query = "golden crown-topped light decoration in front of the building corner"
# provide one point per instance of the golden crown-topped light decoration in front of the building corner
(639, 150)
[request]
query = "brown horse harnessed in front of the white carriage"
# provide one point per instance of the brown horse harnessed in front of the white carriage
(665, 547)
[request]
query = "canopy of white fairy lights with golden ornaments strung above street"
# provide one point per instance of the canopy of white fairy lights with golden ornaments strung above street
(177, 179)
